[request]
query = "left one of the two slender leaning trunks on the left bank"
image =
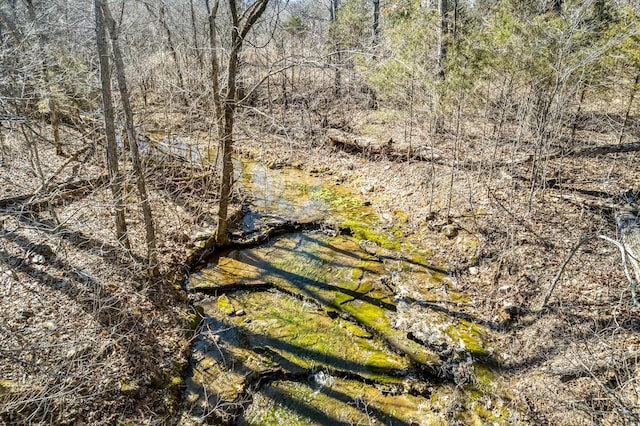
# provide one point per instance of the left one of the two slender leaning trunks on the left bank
(110, 133)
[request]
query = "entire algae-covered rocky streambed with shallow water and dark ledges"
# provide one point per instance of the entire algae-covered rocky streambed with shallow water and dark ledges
(343, 322)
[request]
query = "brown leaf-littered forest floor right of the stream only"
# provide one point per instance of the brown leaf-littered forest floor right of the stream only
(577, 360)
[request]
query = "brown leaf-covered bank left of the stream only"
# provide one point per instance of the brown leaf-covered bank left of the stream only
(88, 337)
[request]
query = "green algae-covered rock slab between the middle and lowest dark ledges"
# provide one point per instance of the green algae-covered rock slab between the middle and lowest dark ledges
(282, 334)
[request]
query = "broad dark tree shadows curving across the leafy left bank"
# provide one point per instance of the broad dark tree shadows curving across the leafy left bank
(122, 325)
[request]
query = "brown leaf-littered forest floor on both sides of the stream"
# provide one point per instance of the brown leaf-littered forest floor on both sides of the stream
(90, 337)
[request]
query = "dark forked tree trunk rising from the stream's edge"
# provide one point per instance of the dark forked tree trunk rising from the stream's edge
(241, 24)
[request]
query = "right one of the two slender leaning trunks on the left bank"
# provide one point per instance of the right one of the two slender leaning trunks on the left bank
(133, 141)
